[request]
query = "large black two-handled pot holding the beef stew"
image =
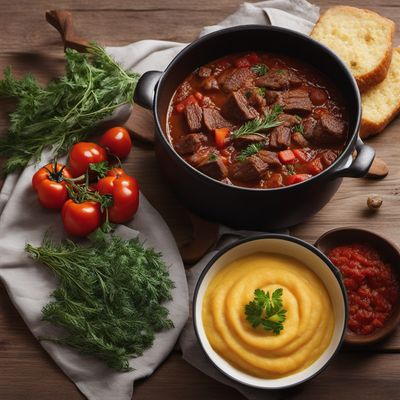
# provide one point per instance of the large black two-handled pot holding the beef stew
(239, 207)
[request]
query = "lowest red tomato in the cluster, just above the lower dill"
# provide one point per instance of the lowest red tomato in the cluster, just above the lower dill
(80, 219)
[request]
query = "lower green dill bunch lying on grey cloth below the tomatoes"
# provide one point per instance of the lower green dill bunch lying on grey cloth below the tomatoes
(109, 296)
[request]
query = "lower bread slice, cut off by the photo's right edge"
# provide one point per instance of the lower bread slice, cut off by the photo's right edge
(382, 103)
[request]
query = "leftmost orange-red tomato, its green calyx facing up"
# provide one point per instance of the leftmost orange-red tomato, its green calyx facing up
(50, 185)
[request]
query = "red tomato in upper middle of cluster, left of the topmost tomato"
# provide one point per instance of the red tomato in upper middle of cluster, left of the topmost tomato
(82, 154)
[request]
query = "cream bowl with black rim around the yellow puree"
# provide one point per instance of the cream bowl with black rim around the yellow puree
(289, 246)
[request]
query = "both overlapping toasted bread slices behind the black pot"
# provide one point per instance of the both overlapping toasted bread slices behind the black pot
(364, 41)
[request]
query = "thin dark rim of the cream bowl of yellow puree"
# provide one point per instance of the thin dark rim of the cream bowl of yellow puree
(279, 236)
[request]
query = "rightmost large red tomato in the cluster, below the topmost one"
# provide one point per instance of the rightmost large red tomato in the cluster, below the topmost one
(125, 192)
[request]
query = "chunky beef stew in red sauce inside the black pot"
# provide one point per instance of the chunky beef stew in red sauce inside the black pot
(258, 120)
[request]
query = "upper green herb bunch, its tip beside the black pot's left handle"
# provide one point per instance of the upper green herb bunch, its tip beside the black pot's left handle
(65, 111)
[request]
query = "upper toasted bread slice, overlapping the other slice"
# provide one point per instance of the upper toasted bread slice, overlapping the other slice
(361, 38)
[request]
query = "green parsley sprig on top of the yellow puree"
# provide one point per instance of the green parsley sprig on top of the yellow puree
(267, 311)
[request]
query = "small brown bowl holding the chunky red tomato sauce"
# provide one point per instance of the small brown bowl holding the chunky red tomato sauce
(389, 252)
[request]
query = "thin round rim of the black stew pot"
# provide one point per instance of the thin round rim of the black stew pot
(343, 157)
